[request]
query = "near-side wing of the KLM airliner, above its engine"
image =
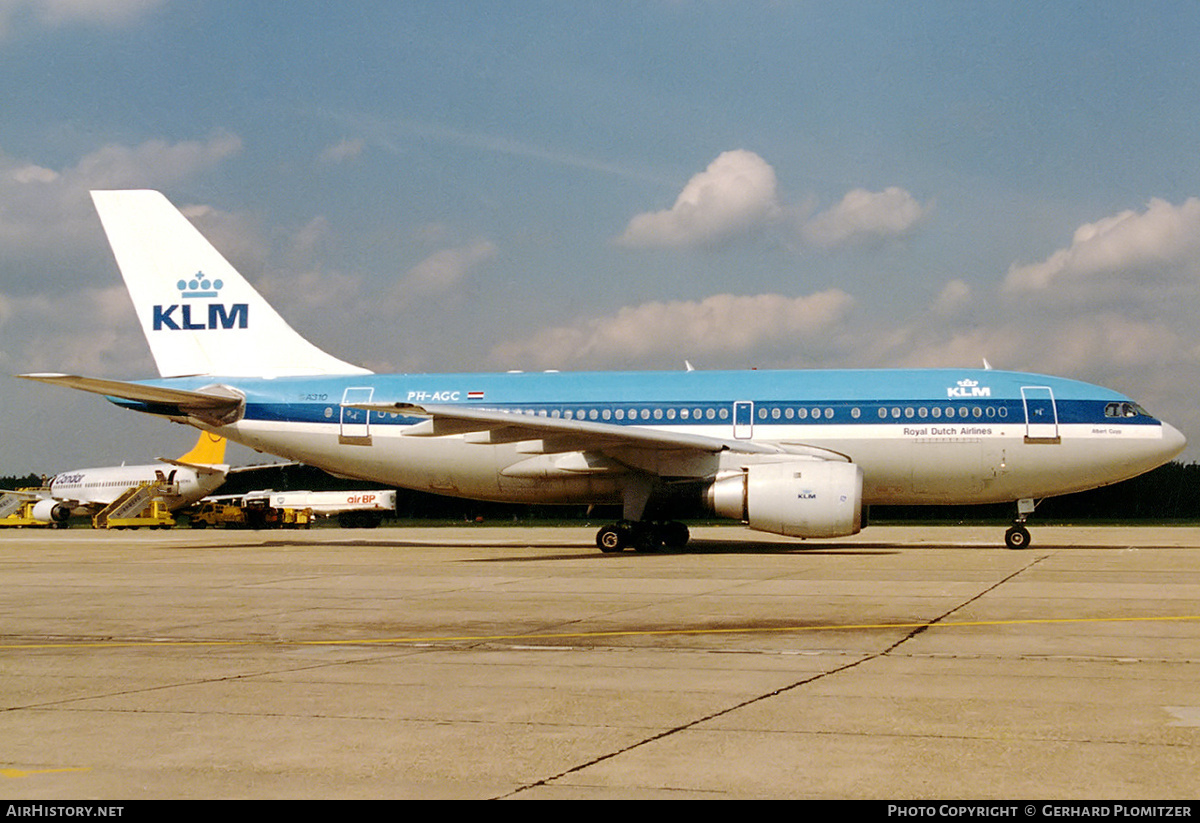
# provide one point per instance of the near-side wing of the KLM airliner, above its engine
(557, 435)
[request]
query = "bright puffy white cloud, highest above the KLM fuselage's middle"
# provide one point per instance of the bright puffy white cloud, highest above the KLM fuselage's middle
(734, 196)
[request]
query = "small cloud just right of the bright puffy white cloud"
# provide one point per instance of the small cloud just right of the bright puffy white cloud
(865, 218)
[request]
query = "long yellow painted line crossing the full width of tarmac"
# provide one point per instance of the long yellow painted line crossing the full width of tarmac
(583, 635)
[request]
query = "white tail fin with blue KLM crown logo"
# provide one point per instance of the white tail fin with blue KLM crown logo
(199, 315)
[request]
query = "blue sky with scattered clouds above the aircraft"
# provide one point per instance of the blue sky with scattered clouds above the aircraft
(481, 187)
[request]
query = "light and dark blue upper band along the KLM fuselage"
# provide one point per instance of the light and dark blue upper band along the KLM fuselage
(693, 399)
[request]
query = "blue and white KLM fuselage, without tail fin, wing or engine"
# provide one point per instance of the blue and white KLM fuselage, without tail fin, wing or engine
(921, 436)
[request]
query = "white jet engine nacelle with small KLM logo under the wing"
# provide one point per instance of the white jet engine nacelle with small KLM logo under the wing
(799, 498)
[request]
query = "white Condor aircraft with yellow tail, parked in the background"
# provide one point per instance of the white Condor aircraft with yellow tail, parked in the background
(87, 491)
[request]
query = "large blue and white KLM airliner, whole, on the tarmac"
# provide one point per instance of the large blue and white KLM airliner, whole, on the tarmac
(793, 453)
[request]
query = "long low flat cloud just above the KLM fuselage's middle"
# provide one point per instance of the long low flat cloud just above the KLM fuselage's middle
(723, 326)
